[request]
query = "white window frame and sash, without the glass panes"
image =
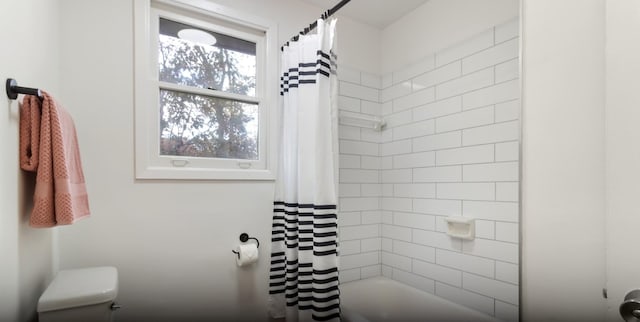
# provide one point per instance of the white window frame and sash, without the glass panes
(149, 164)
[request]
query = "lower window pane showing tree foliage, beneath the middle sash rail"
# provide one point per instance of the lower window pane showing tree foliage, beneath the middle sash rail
(199, 126)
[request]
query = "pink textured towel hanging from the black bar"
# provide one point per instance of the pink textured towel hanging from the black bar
(49, 146)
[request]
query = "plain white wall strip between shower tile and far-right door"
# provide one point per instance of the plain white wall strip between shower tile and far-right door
(563, 206)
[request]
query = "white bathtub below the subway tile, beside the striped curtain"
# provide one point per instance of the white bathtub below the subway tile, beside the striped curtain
(380, 299)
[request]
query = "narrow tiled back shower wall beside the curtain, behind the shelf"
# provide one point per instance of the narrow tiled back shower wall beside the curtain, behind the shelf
(360, 190)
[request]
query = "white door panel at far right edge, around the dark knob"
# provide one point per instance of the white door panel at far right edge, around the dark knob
(623, 157)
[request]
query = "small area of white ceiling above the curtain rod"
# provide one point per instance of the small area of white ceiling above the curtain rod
(377, 13)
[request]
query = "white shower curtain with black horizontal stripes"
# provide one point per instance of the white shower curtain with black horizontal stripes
(303, 282)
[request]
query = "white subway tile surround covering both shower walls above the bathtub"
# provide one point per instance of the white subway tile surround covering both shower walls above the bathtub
(450, 148)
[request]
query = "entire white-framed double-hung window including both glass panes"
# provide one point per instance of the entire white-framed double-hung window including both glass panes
(203, 104)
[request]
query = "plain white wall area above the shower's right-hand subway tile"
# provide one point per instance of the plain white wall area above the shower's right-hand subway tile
(438, 24)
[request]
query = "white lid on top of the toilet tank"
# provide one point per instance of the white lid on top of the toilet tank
(80, 287)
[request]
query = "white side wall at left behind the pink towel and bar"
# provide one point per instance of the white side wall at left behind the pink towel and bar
(29, 33)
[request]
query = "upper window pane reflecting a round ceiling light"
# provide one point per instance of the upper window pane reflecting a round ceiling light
(217, 61)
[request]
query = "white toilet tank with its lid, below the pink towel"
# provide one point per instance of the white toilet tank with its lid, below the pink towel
(85, 294)
